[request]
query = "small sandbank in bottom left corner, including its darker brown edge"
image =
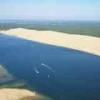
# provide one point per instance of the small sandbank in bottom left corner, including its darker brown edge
(20, 94)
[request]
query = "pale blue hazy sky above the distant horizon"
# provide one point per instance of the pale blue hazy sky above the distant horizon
(50, 9)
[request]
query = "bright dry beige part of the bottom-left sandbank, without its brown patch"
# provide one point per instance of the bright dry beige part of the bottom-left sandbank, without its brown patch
(15, 94)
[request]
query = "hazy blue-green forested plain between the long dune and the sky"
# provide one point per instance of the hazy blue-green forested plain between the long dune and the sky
(91, 28)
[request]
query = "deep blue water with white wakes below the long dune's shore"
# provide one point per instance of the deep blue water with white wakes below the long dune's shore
(61, 73)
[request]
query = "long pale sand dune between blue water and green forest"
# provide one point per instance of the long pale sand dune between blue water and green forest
(78, 42)
